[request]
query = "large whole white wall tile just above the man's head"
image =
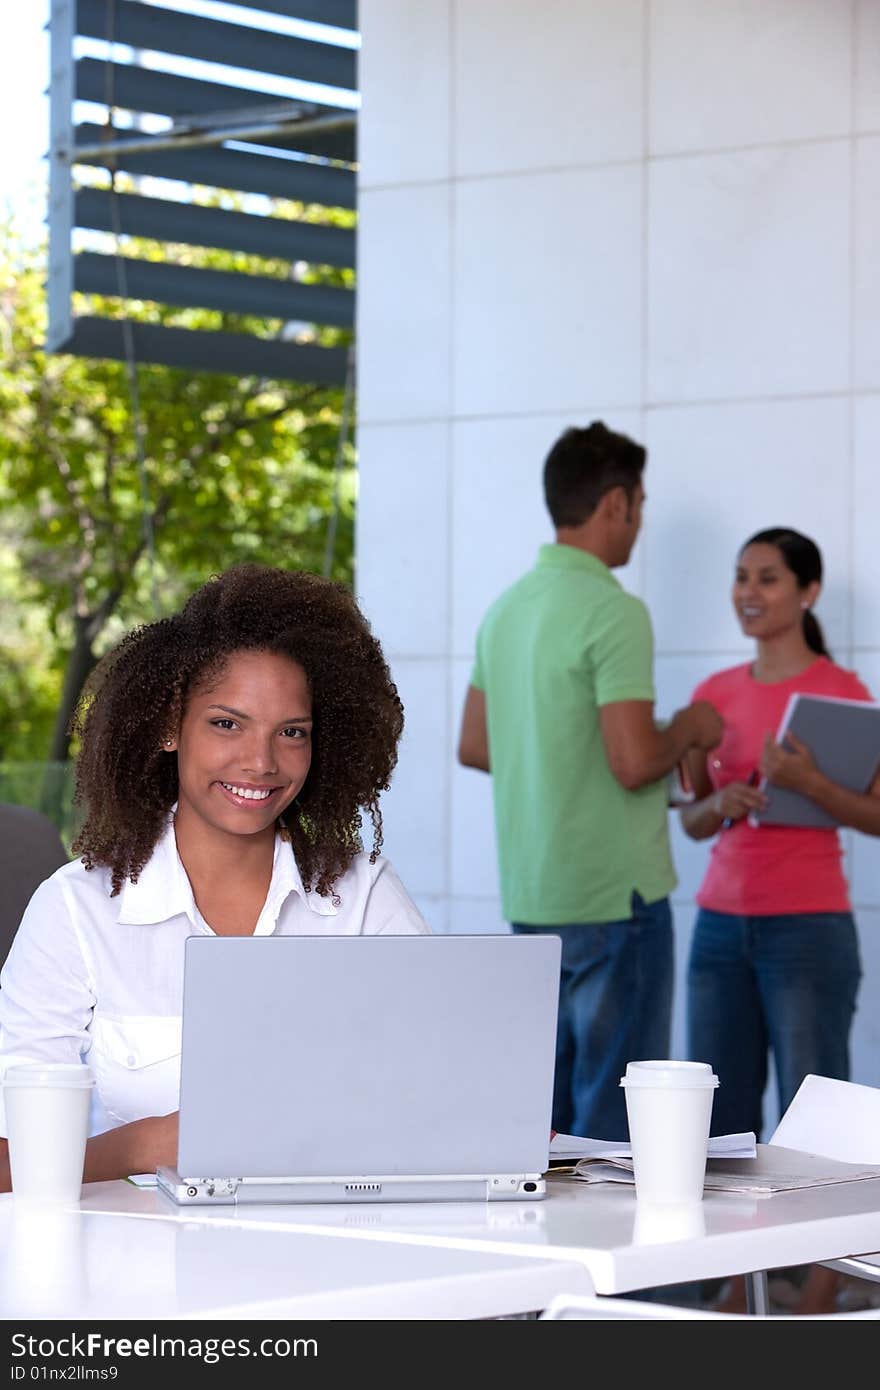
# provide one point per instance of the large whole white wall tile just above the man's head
(539, 259)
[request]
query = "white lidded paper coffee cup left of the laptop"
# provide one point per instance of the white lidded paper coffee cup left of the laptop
(48, 1125)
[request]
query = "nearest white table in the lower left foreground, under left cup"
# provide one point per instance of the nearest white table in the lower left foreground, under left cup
(104, 1260)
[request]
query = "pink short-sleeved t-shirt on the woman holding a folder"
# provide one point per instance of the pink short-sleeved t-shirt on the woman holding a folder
(767, 871)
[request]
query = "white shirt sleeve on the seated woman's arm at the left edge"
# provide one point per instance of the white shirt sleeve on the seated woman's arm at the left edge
(47, 996)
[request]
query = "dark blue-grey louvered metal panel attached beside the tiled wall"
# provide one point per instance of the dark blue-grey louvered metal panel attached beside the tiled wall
(243, 140)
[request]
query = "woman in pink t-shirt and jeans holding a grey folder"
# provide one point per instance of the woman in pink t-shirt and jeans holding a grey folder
(775, 958)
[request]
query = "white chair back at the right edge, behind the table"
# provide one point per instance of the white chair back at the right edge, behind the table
(835, 1120)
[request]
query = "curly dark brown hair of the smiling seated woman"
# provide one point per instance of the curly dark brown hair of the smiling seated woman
(138, 693)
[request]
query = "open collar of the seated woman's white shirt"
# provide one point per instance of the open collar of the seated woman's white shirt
(163, 889)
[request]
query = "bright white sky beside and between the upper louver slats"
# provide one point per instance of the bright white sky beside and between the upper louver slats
(24, 79)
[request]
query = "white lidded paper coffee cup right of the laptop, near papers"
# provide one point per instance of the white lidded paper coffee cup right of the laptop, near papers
(669, 1110)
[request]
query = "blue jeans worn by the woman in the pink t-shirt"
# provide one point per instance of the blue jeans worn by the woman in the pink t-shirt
(782, 983)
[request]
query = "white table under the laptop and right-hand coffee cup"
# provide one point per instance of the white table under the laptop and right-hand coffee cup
(596, 1229)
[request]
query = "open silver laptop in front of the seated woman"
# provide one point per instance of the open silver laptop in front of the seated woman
(366, 1070)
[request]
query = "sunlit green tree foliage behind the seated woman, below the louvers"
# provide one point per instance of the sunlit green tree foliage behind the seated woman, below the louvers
(234, 469)
